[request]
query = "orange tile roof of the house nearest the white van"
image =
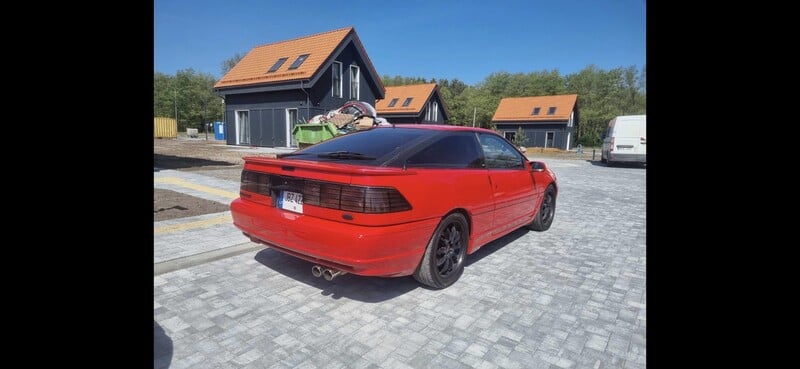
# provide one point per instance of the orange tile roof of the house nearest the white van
(521, 108)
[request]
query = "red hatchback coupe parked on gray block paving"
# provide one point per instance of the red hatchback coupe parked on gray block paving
(394, 201)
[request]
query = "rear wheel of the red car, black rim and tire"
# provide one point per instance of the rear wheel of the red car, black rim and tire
(443, 261)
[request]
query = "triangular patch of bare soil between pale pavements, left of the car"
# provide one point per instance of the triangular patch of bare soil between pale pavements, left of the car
(171, 205)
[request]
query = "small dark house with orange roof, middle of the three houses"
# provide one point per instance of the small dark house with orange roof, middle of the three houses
(416, 104)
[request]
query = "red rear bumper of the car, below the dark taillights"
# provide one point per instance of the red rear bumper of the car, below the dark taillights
(394, 250)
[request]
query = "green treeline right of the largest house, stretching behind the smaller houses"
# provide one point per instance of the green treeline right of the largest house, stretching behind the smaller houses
(602, 95)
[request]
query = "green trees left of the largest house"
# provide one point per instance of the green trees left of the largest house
(191, 94)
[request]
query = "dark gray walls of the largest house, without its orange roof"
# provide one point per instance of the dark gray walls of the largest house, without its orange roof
(257, 115)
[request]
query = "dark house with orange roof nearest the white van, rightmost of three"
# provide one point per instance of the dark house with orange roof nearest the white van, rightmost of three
(547, 121)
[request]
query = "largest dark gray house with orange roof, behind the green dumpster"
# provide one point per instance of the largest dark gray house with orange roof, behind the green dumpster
(278, 85)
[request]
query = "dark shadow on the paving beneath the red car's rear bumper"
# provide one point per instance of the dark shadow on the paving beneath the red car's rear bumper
(350, 286)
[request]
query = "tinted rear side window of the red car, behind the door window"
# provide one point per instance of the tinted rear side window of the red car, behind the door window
(454, 151)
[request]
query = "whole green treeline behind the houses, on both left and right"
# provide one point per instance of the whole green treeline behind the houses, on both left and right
(602, 95)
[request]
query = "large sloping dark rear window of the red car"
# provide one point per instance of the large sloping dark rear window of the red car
(378, 143)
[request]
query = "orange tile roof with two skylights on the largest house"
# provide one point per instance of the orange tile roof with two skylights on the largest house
(252, 69)
